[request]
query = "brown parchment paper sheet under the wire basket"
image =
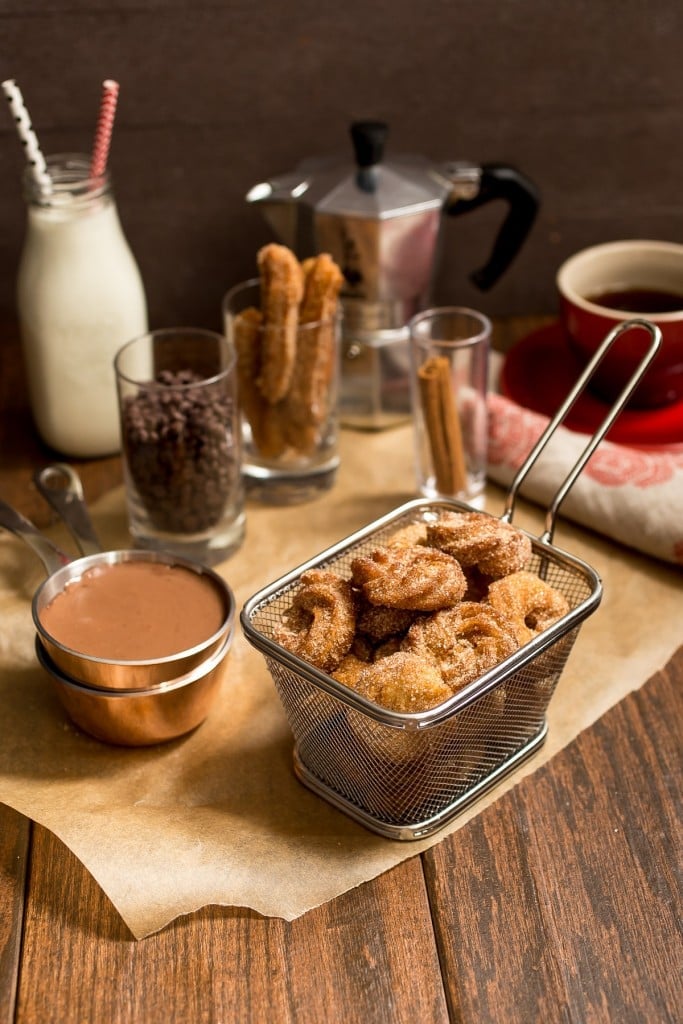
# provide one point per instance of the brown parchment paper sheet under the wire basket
(219, 818)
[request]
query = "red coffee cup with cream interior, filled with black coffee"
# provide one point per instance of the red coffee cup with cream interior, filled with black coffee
(618, 281)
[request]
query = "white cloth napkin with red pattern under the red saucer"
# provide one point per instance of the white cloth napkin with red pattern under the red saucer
(632, 495)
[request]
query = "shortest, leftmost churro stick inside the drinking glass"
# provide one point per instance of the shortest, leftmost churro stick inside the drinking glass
(263, 418)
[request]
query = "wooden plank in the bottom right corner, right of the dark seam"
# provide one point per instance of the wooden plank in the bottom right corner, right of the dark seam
(569, 889)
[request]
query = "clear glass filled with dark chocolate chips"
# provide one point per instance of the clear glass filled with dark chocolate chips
(182, 443)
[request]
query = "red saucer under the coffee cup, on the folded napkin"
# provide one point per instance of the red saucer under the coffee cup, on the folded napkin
(540, 371)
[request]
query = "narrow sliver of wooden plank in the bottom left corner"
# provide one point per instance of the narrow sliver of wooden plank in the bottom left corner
(15, 834)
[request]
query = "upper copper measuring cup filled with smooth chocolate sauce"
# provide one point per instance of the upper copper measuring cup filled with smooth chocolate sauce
(133, 620)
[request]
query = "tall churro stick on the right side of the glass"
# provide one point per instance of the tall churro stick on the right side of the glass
(307, 404)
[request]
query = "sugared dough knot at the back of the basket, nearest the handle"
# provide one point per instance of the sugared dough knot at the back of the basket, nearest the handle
(476, 539)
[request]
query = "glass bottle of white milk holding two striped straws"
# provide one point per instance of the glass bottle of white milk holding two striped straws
(80, 298)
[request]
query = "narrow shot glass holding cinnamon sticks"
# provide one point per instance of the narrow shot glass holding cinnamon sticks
(450, 369)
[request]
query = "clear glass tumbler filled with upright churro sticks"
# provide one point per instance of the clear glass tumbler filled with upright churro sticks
(285, 326)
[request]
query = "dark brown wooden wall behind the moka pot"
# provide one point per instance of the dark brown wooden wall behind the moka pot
(586, 98)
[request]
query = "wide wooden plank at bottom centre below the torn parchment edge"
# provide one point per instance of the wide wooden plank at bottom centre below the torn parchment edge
(367, 957)
